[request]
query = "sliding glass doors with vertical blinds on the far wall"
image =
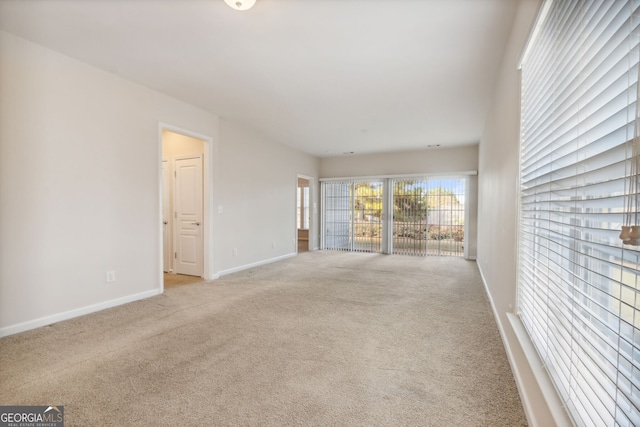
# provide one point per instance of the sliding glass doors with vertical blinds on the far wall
(423, 216)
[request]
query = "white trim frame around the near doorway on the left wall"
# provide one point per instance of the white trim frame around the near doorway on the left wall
(207, 199)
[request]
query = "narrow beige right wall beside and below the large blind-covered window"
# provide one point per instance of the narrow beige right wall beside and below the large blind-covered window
(497, 213)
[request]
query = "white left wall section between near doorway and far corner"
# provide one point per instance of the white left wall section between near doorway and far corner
(258, 180)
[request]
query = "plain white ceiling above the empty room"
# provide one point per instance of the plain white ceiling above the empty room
(324, 76)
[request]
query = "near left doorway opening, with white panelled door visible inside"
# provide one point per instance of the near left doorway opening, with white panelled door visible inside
(182, 204)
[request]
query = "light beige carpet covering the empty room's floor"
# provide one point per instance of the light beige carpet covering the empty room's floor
(323, 339)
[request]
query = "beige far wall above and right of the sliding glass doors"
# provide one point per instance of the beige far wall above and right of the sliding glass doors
(430, 161)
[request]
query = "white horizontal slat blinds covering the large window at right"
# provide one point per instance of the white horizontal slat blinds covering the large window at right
(578, 289)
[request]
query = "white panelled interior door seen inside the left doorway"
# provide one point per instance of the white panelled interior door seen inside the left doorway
(188, 215)
